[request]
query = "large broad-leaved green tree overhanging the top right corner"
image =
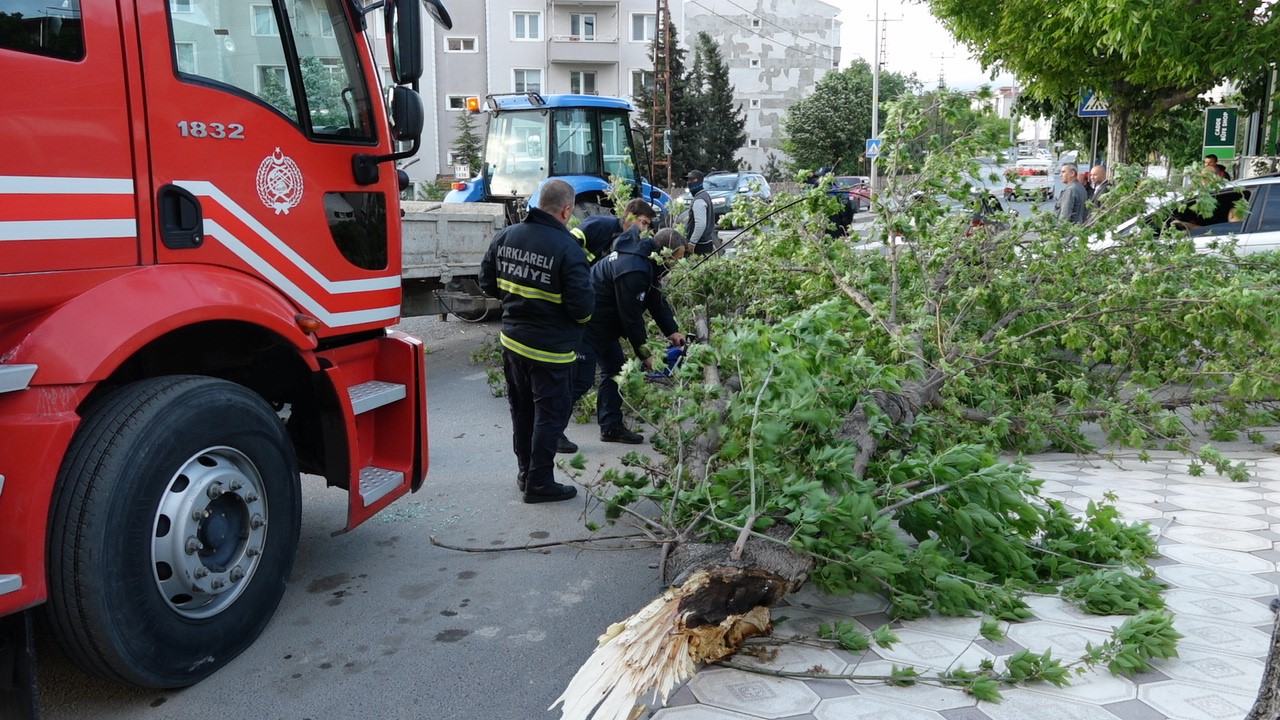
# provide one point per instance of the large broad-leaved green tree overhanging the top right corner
(1148, 57)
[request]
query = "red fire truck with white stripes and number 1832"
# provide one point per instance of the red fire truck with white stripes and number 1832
(200, 263)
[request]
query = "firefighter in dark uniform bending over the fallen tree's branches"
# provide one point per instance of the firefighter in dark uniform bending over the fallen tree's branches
(627, 285)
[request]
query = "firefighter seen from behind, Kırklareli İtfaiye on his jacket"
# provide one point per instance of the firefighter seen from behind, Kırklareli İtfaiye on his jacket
(540, 272)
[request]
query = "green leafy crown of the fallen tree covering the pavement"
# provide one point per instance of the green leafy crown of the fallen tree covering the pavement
(854, 405)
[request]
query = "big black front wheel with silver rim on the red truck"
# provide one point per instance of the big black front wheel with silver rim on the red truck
(173, 531)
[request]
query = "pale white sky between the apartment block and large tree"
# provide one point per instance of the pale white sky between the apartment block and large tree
(915, 42)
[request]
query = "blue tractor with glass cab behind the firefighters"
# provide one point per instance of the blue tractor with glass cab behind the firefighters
(586, 140)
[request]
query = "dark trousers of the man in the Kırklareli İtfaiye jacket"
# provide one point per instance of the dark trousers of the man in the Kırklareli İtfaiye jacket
(541, 407)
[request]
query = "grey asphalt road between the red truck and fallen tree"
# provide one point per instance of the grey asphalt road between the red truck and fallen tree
(380, 625)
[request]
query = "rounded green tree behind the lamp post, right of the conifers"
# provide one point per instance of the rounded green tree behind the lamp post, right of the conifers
(830, 127)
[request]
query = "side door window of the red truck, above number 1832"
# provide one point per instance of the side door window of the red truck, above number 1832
(317, 80)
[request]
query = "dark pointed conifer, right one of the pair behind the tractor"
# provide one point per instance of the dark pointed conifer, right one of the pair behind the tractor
(721, 121)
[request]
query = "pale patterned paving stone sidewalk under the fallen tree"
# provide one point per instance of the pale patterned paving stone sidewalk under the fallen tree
(1220, 548)
